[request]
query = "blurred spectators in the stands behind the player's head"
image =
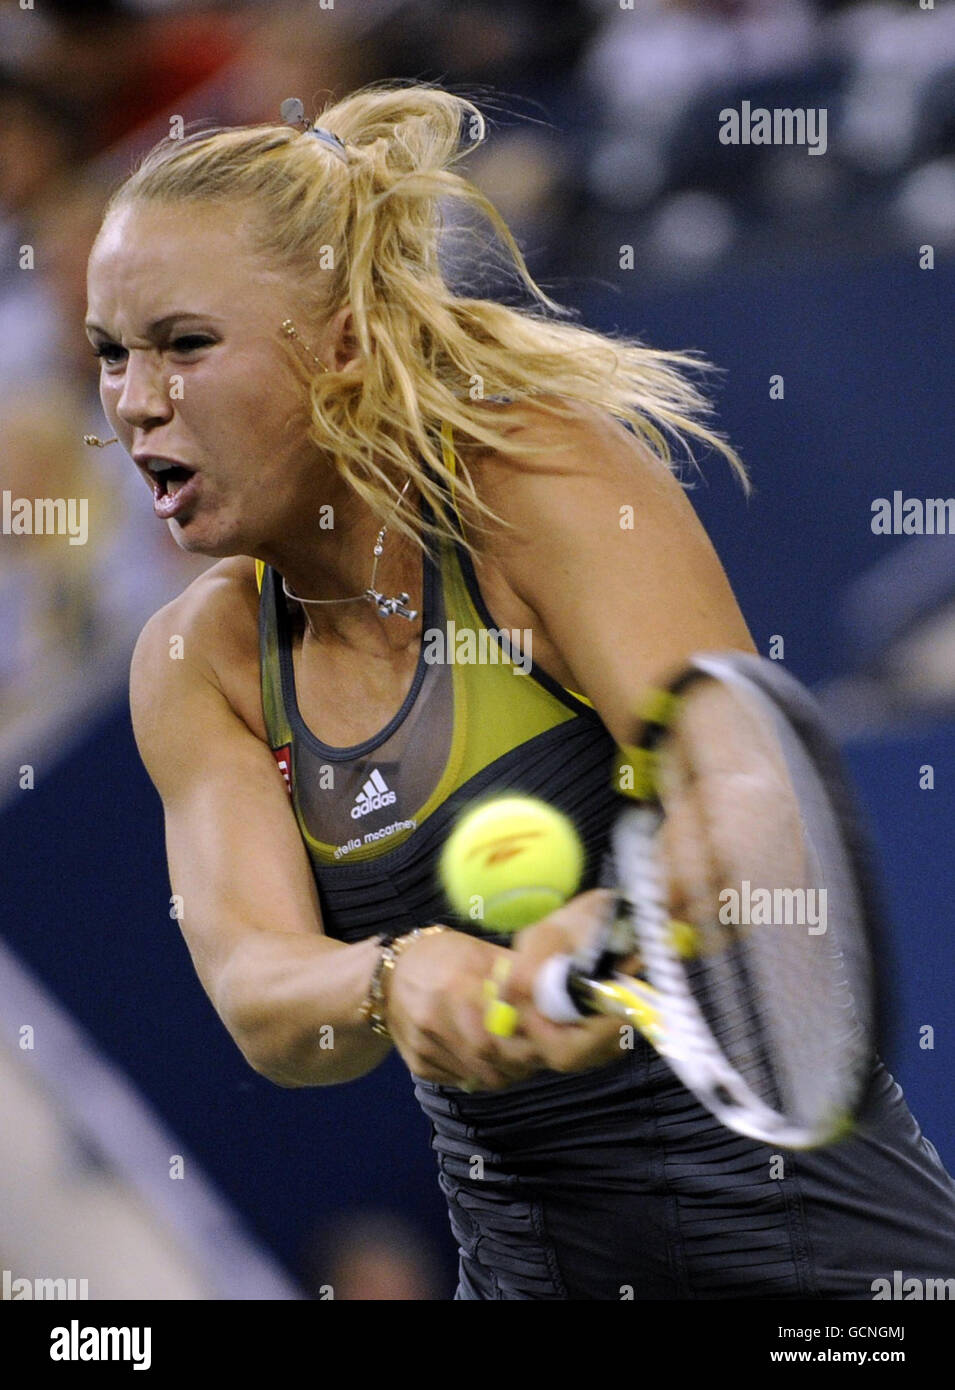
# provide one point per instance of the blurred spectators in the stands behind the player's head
(604, 136)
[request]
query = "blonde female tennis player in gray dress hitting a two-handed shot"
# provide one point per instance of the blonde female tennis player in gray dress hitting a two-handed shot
(372, 459)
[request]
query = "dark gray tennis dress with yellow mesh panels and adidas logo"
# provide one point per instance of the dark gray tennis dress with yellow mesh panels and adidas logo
(612, 1184)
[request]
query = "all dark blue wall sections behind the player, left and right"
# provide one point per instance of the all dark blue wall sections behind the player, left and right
(870, 408)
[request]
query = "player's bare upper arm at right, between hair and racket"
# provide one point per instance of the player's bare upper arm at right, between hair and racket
(610, 554)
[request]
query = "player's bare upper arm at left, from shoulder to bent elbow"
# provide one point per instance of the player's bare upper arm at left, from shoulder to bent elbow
(234, 849)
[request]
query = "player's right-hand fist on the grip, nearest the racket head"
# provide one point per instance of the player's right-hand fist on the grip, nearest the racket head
(565, 1047)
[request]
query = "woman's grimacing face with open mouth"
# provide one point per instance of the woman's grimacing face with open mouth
(186, 318)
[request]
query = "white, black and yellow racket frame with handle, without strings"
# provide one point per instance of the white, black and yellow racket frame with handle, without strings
(662, 1006)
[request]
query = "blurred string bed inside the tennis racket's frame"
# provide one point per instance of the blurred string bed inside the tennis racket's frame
(771, 907)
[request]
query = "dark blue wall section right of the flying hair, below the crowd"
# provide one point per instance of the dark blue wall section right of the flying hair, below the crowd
(867, 354)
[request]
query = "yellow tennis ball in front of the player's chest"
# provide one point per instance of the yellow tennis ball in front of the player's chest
(511, 861)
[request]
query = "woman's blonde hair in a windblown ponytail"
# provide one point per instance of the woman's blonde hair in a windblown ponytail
(364, 227)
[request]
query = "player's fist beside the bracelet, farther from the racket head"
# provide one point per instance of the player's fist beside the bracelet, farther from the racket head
(436, 1015)
